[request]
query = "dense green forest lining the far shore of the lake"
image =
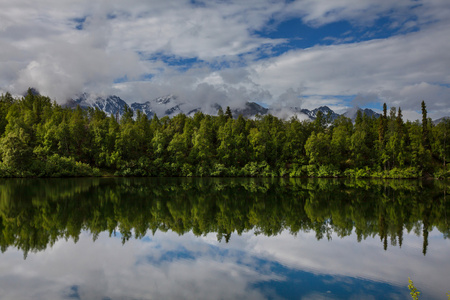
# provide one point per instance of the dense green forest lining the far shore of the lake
(40, 138)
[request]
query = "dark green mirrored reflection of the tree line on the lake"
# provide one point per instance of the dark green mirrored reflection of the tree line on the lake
(36, 213)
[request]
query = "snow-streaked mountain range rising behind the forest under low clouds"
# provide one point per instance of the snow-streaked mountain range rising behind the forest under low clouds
(170, 105)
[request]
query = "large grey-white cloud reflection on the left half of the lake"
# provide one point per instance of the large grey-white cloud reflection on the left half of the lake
(108, 269)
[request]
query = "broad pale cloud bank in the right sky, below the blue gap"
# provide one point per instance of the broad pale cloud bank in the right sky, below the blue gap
(401, 70)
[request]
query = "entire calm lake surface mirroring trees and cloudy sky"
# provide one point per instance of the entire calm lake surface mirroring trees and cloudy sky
(223, 239)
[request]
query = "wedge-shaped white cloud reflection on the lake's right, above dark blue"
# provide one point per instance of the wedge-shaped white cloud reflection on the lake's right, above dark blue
(367, 259)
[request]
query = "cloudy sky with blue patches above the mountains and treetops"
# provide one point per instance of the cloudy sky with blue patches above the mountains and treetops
(303, 53)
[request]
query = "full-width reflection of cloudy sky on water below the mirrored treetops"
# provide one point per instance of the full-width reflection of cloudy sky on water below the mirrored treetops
(170, 266)
